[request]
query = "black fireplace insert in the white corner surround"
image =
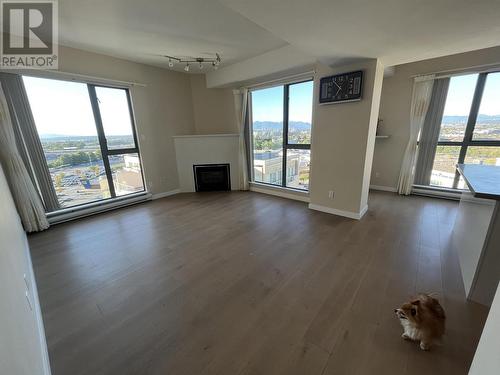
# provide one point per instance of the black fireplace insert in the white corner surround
(212, 177)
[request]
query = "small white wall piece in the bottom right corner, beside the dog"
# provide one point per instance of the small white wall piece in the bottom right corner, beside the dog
(487, 358)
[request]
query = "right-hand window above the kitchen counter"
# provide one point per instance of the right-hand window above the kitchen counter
(470, 127)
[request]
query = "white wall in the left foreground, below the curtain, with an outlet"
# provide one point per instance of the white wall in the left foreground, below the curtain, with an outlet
(23, 350)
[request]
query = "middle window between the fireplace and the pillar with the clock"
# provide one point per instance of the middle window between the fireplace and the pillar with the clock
(281, 134)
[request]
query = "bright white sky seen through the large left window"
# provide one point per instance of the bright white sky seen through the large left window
(63, 108)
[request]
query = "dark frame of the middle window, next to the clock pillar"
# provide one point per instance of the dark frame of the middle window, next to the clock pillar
(285, 144)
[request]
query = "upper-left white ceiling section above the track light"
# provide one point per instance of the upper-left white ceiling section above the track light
(142, 31)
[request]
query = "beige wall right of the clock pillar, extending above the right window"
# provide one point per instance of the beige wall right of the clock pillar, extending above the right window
(395, 108)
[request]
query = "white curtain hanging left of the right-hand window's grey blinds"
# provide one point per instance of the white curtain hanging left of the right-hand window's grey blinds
(421, 97)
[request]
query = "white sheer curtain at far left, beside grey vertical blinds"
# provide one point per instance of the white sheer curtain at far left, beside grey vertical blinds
(28, 202)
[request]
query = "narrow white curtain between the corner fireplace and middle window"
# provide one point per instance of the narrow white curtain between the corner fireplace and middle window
(241, 107)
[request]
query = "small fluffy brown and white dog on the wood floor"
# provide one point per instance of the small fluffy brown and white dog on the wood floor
(423, 319)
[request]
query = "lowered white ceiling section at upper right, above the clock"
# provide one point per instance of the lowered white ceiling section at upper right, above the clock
(395, 31)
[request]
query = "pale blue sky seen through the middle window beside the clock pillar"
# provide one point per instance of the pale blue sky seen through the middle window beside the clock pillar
(267, 104)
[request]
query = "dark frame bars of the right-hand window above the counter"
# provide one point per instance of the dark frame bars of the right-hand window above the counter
(468, 140)
